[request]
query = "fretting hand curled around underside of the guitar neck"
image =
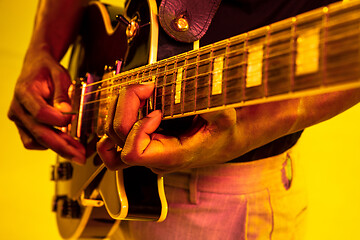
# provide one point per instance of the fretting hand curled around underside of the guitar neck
(205, 143)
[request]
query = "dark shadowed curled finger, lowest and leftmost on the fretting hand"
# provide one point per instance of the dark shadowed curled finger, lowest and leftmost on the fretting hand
(108, 152)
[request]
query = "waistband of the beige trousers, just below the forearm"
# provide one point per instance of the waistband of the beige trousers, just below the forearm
(234, 178)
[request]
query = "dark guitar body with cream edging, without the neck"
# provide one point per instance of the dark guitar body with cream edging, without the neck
(90, 200)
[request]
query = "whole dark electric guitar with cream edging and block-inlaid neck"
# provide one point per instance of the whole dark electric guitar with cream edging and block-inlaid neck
(312, 53)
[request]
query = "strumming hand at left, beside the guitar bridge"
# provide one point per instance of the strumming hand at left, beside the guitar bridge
(40, 98)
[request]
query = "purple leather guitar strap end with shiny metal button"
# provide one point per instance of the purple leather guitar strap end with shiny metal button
(187, 20)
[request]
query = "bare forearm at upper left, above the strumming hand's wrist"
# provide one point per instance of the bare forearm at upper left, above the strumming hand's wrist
(56, 25)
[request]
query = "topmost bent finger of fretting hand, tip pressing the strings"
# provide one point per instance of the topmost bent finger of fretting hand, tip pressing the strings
(130, 100)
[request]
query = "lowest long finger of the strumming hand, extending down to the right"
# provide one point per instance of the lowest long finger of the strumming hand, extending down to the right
(46, 136)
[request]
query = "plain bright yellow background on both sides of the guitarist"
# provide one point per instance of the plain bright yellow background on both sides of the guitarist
(331, 153)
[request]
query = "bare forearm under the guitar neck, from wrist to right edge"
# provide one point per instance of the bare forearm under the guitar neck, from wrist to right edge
(261, 124)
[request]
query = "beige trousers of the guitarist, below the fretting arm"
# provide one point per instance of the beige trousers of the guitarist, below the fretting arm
(264, 199)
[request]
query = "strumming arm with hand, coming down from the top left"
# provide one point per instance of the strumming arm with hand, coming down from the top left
(40, 94)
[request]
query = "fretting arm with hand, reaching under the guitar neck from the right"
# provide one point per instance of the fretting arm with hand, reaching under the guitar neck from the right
(215, 137)
